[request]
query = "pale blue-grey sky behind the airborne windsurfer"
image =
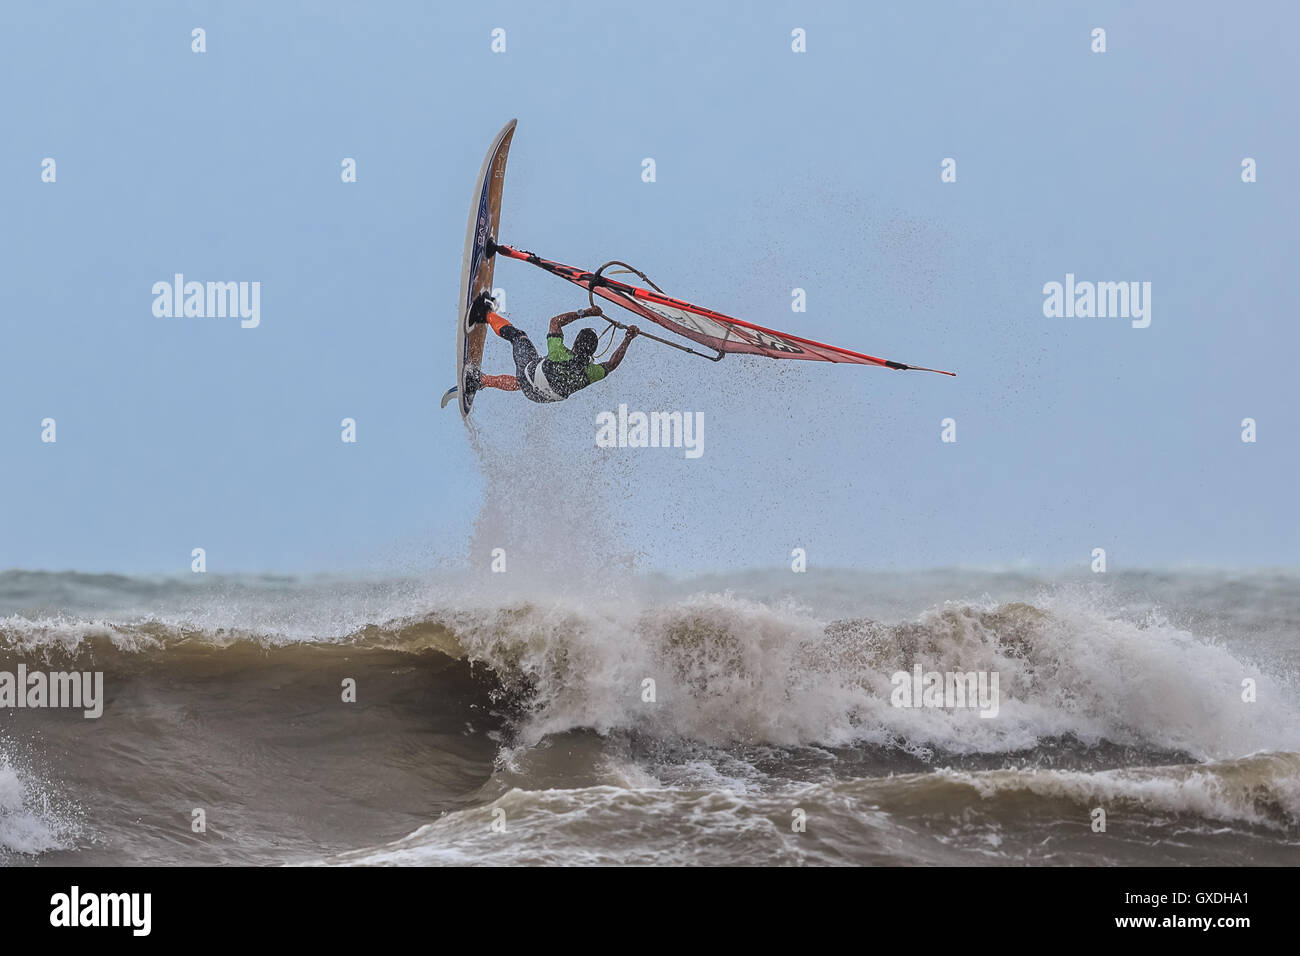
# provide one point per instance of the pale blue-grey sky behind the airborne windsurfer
(774, 171)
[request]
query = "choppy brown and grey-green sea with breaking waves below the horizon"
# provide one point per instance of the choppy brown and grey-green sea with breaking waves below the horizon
(740, 719)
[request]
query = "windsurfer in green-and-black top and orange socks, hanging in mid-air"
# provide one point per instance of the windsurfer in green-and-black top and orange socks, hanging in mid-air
(562, 371)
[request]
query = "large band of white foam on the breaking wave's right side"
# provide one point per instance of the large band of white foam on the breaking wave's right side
(731, 671)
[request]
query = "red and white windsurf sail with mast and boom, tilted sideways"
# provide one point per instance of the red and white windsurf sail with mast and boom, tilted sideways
(705, 327)
